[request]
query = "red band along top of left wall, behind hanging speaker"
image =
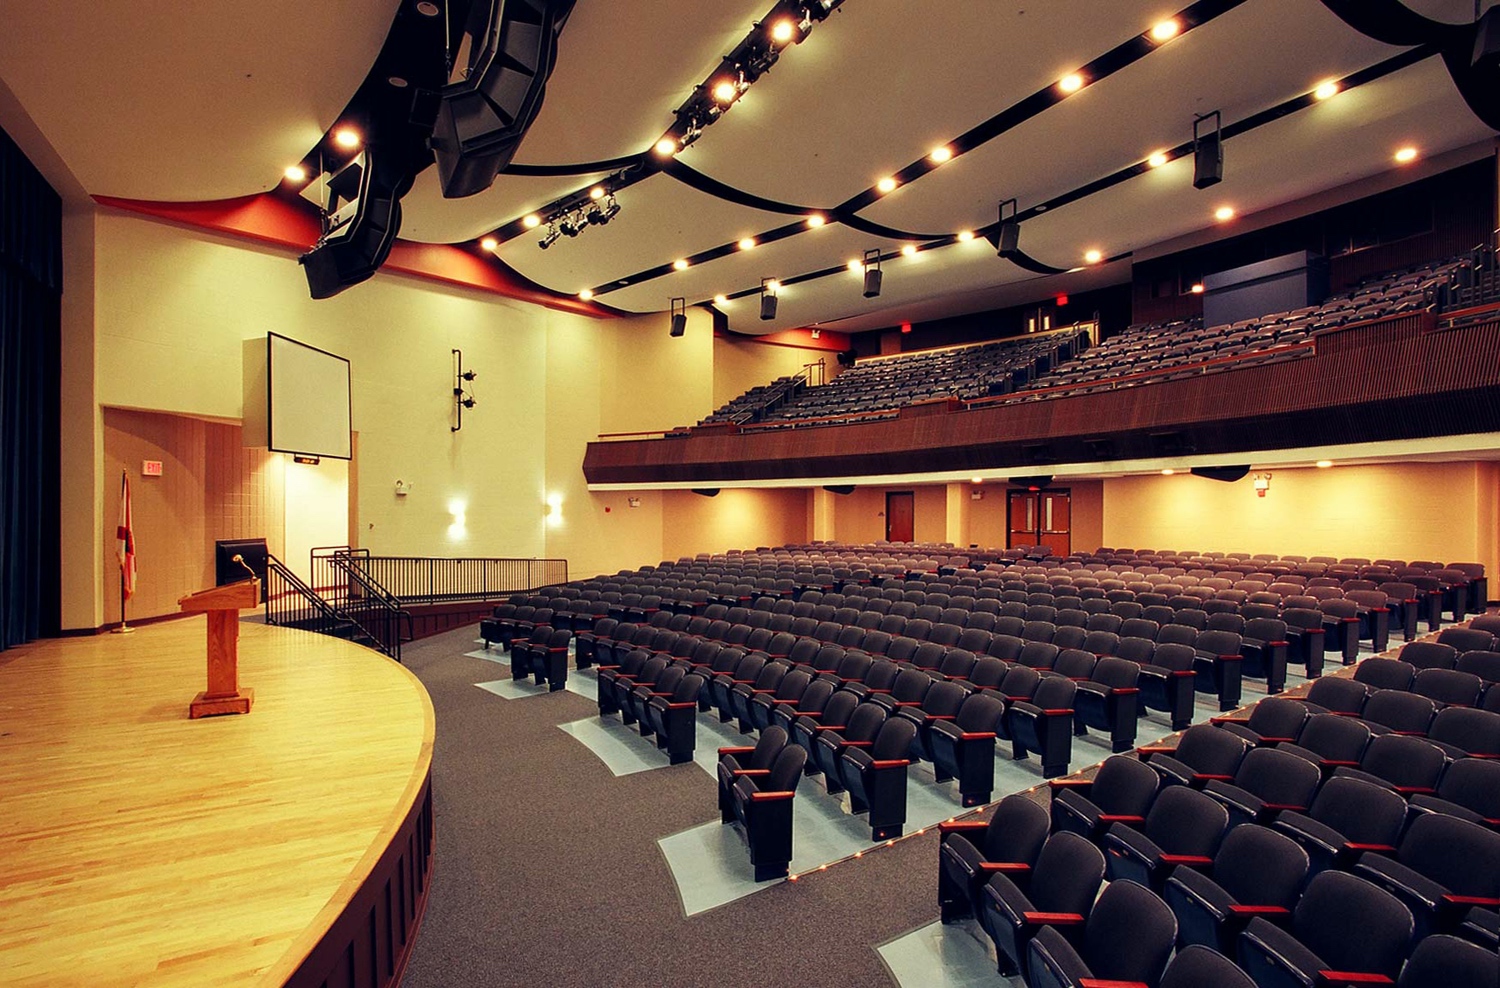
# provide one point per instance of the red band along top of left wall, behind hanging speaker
(272, 220)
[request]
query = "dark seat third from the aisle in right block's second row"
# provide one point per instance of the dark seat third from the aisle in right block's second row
(1256, 873)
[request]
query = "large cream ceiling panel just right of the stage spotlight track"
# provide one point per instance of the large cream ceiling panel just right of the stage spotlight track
(881, 83)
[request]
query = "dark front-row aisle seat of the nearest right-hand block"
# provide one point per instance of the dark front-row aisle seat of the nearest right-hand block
(973, 851)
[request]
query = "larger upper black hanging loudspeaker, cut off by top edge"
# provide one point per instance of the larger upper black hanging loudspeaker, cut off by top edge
(514, 47)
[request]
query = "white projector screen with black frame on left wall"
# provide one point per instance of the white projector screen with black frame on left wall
(308, 392)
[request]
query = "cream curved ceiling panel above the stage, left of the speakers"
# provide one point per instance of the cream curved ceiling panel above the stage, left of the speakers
(212, 107)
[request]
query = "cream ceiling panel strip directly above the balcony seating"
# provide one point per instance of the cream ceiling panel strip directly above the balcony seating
(1283, 161)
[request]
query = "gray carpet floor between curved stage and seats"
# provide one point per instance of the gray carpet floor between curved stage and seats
(548, 869)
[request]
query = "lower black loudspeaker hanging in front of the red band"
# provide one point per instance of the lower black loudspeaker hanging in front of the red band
(361, 224)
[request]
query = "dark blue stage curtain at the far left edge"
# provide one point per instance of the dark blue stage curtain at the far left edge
(31, 302)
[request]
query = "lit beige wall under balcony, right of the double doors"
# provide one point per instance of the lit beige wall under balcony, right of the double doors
(1400, 510)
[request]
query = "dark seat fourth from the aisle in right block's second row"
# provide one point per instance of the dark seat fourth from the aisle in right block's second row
(1340, 924)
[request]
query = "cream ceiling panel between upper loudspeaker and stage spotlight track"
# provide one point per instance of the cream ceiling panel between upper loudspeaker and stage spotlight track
(623, 70)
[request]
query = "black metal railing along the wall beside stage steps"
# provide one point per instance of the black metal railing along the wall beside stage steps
(428, 579)
